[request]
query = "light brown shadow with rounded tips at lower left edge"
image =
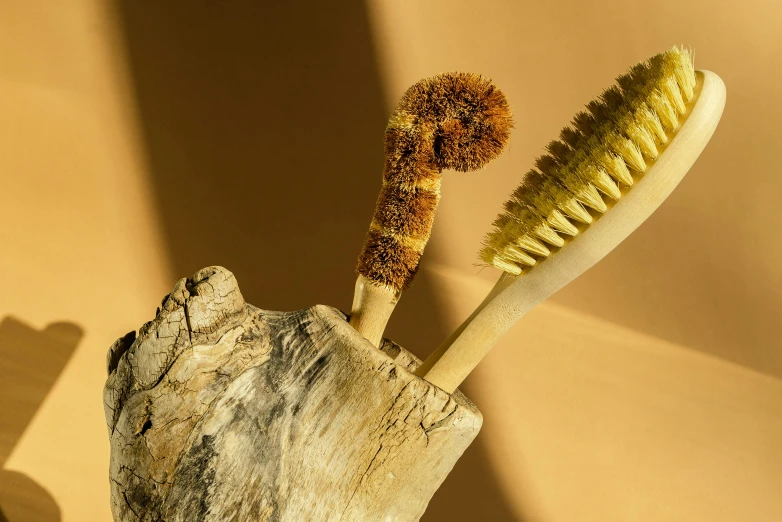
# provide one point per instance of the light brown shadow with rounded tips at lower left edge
(30, 362)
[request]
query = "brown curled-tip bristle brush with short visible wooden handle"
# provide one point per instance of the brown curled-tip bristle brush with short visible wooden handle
(456, 121)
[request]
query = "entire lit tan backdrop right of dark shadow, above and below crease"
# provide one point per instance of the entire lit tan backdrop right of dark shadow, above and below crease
(649, 388)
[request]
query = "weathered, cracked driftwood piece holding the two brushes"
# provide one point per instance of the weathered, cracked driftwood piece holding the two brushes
(220, 411)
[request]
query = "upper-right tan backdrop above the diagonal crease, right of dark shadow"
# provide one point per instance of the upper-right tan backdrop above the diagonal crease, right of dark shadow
(704, 271)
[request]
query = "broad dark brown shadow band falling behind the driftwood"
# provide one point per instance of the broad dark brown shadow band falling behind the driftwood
(263, 126)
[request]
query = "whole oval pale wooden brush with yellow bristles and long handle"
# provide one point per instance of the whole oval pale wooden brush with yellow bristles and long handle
(605, 175)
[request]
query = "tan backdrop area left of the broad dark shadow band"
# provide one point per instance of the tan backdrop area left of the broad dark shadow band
(80, 246)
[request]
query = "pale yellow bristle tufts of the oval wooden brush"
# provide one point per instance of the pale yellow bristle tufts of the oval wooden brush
(602, 150)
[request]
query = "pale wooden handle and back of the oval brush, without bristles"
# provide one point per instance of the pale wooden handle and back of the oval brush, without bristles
(513, 296)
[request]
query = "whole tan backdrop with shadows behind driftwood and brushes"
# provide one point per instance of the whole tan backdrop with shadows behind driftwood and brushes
(140, 141)
